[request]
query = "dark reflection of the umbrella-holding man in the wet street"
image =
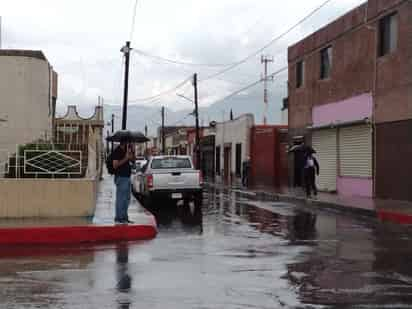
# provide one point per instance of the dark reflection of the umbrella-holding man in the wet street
(124, 279)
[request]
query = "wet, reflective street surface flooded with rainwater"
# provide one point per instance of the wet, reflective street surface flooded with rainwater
(238, 252)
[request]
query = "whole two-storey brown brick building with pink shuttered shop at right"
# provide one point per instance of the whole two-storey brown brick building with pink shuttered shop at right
(350, 96)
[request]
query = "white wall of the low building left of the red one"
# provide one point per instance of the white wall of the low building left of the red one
(237, 131)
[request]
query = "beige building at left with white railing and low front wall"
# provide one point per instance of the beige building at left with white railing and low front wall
(48, 167)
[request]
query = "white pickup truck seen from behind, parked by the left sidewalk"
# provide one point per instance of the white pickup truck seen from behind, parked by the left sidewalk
(168, 179)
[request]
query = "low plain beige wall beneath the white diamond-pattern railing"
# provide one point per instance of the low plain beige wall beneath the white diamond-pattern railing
(28, 198)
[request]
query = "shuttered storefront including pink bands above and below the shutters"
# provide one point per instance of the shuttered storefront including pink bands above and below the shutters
(342, 136)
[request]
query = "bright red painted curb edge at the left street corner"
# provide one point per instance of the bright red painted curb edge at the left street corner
(75, 234)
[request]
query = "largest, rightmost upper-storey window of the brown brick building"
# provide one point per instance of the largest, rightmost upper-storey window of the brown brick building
(388, 34)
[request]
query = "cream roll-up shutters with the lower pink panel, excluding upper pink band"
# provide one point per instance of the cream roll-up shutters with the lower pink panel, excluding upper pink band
(345, 156)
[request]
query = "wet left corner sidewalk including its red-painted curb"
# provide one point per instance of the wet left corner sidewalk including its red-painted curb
(100, 228)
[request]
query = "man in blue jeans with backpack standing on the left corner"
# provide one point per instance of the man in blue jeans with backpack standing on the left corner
(123, 157)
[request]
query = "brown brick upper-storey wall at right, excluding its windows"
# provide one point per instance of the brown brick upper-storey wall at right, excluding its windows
(354, 44)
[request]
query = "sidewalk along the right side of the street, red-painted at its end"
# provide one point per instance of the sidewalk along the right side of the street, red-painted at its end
(385, 210)
